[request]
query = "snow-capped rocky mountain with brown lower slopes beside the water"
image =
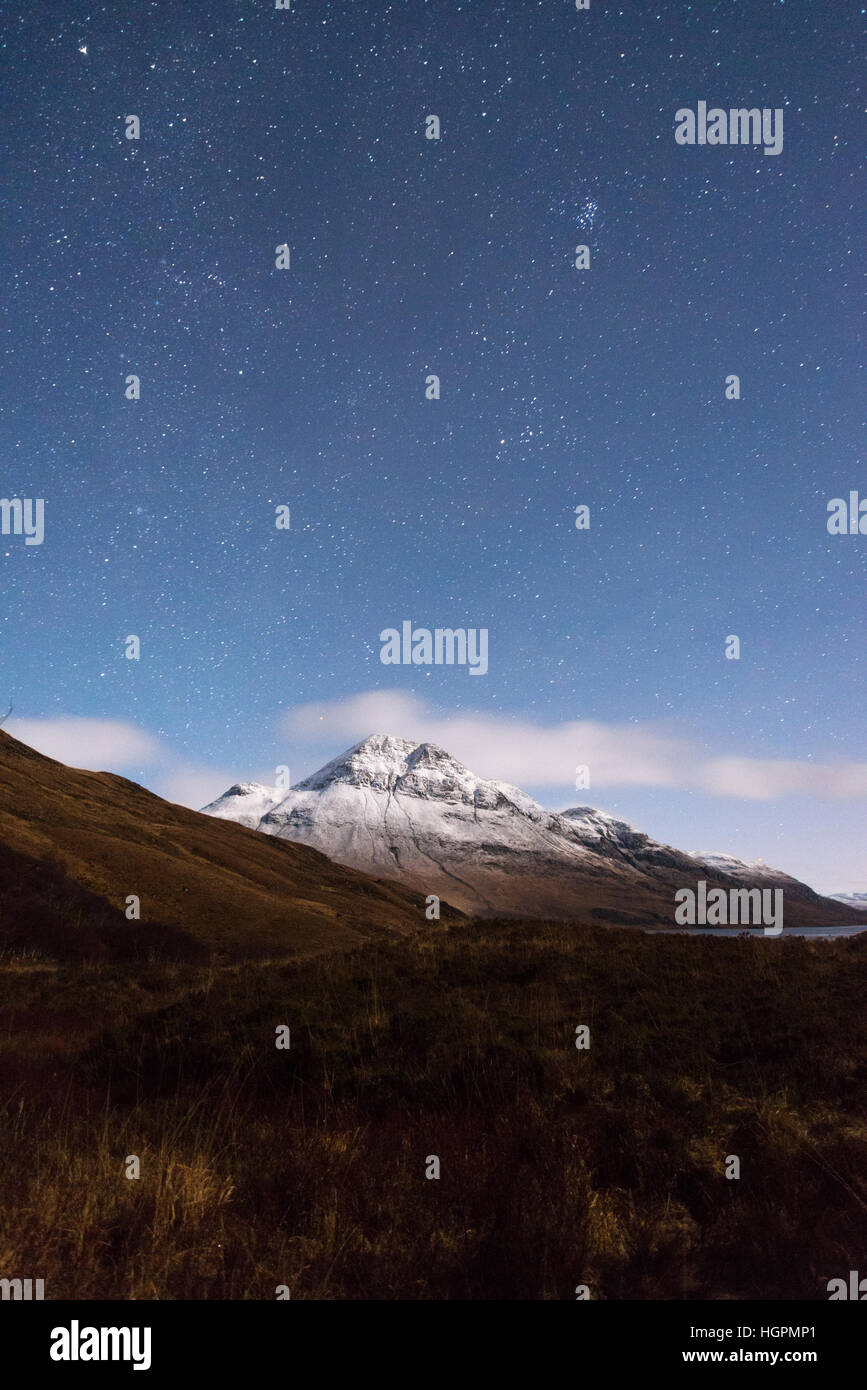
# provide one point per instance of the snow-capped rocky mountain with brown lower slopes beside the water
(406, 811)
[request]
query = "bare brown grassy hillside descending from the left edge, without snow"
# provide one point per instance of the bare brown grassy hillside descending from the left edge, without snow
(76, 844)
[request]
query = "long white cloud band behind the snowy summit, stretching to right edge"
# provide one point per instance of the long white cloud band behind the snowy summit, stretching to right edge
(530, 754)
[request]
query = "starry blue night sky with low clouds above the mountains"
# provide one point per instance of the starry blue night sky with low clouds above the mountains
(559, 389)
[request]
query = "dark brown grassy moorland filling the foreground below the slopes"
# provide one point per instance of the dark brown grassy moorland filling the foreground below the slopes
(558, 1167)
